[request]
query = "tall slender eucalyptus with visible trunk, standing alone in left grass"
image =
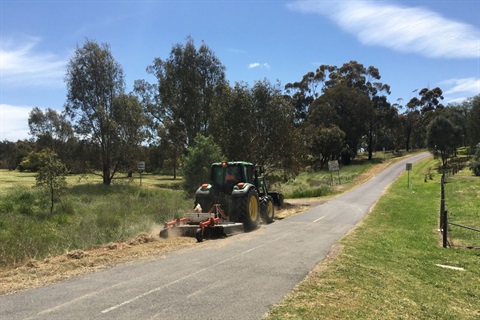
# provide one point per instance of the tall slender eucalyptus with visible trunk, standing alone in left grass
(94, 80)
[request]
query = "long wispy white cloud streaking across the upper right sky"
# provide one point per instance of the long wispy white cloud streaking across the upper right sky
(405, 29)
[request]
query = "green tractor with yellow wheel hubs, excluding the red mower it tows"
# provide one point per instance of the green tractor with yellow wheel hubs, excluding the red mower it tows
(240, 190)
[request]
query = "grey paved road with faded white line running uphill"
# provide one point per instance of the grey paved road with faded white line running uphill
(236, 278)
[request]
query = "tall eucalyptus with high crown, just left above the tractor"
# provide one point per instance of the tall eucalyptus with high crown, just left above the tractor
(189, 85)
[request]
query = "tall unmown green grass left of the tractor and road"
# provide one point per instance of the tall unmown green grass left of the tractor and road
(87, 214)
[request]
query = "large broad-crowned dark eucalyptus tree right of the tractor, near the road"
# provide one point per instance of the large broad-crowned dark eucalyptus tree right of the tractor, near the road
(328, 82)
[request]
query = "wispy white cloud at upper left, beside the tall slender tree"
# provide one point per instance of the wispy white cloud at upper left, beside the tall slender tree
(22, 64)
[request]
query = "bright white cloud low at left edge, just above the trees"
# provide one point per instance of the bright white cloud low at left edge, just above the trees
(14, 122)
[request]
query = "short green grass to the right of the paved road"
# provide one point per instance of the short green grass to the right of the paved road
(390, 266)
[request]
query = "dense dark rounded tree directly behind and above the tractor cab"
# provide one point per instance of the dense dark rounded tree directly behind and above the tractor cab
(257, 124)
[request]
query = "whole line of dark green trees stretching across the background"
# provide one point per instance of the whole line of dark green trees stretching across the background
(332, 113)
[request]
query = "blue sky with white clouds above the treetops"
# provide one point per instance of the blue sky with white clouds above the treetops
(414, 44)
